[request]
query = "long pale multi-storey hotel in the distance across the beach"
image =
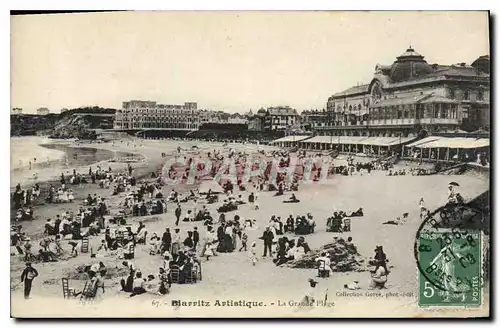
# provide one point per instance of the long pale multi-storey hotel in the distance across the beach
(144, 115)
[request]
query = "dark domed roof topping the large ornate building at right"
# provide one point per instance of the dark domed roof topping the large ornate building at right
(409, 65)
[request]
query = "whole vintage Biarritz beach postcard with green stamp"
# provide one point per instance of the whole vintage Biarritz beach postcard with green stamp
(255, 164)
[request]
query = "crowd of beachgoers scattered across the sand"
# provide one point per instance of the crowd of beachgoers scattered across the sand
(181, 248)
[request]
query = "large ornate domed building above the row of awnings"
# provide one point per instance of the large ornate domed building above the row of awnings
(412, 98)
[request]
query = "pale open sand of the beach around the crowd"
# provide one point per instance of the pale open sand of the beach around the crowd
(231, 275)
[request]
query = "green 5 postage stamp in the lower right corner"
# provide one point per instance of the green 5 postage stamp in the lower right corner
(449, 264)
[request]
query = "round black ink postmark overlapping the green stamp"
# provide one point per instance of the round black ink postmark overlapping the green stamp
(448, 250)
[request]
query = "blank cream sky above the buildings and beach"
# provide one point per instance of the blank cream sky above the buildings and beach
(231, 61)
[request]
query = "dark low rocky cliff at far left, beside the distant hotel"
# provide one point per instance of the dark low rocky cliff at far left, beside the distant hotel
(75, 123)
